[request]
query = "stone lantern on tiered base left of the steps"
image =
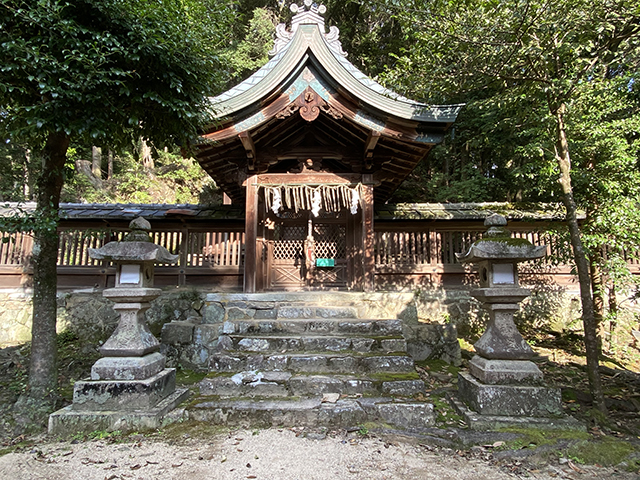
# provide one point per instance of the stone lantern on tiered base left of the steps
(129, 388)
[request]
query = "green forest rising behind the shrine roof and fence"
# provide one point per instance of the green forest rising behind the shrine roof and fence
(552, 115)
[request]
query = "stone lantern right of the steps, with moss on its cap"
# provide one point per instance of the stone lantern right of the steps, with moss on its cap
(503, 380)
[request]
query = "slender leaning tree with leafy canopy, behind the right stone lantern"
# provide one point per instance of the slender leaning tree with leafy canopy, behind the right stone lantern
(541, 51)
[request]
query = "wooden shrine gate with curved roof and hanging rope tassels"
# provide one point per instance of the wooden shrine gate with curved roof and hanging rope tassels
(307, 144)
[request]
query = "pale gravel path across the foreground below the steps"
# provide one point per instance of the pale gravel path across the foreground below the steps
(274, 454)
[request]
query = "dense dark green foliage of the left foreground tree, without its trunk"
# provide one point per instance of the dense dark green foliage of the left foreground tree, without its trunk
(108, 69)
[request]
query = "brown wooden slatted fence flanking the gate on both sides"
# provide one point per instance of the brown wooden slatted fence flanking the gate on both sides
(215, 256)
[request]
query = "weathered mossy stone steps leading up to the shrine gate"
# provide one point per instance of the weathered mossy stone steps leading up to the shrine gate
(311, 366)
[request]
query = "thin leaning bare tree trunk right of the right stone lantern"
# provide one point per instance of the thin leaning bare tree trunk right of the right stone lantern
(591, 343)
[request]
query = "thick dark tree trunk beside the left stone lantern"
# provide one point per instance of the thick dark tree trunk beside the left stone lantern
(43, 376)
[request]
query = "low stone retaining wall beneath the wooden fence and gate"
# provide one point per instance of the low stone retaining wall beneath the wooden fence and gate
(432, 318)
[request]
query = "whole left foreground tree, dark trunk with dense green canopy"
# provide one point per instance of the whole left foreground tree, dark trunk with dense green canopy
(97, 70)
